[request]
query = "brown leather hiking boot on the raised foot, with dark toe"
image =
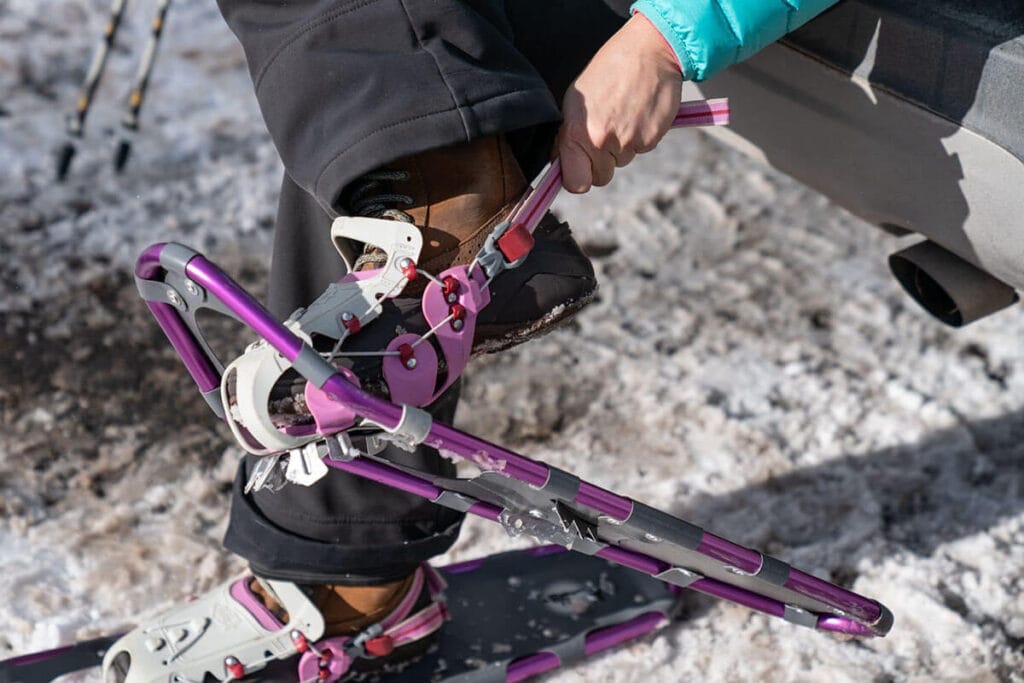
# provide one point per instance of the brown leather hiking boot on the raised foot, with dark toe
(456, 196)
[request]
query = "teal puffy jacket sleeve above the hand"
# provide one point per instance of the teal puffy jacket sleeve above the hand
(710, 35)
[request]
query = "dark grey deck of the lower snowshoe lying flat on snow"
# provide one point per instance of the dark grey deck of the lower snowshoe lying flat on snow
(514, 616)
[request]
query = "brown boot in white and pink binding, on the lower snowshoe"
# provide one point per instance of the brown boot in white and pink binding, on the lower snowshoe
(243, 626)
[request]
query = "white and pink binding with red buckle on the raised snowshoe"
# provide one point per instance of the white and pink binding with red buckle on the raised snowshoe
(452, 303)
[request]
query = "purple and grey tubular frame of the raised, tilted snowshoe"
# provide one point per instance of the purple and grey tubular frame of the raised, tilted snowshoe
(525, 495)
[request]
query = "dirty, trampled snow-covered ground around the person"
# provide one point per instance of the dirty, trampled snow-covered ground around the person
(751, 366)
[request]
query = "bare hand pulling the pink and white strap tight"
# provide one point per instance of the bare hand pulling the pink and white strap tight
(621, 106)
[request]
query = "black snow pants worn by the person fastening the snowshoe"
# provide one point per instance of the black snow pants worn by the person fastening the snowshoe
(345, 88)
